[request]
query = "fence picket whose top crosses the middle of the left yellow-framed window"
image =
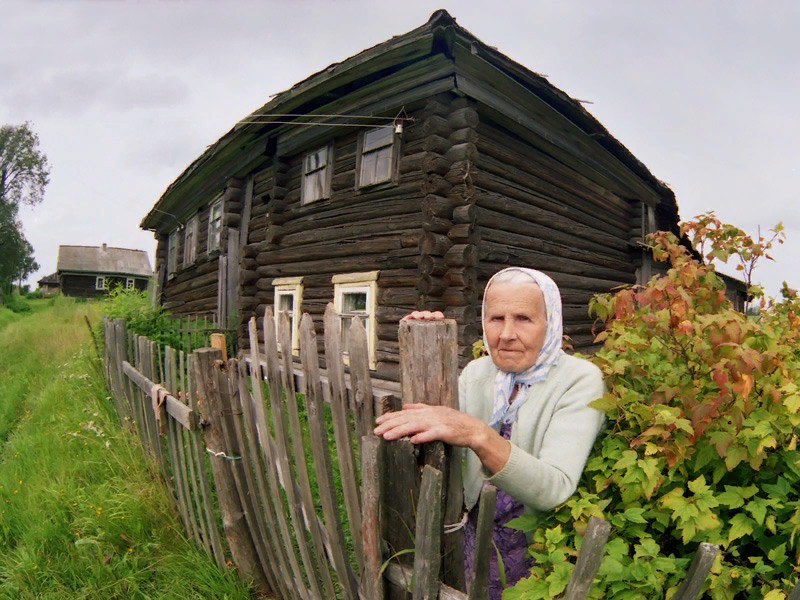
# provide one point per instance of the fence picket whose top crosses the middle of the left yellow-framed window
(301, 468)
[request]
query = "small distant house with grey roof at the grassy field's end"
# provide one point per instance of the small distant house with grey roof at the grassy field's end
(90, 271)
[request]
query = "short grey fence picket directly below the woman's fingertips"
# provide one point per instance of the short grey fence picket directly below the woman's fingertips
(371, 516)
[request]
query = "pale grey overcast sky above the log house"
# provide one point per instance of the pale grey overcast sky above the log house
(124, 95)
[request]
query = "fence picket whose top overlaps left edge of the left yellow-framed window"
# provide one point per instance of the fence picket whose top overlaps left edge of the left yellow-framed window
(283, 453)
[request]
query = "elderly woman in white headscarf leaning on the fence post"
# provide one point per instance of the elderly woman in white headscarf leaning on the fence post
(524, 414)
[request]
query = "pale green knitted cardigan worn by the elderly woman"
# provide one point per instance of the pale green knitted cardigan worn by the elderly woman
(551, 439)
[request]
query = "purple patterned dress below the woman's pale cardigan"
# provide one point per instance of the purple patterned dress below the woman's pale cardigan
(511, 544)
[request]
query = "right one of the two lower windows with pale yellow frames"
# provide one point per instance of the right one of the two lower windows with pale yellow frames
(355, 295)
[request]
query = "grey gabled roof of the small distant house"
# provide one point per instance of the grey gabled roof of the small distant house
(103, 260)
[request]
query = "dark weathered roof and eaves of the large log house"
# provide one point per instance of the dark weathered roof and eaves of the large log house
(248, 141)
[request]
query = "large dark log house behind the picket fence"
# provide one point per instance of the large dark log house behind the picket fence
(402, 178)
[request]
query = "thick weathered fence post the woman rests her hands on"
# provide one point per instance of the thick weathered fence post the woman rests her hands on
(429, 375)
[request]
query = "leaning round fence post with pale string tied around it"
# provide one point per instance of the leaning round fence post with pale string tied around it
(209, 379)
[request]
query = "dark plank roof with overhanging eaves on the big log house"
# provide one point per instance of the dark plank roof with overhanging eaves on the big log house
(474, 68)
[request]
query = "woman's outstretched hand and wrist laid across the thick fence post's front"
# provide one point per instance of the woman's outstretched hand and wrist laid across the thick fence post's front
(426, 423)
